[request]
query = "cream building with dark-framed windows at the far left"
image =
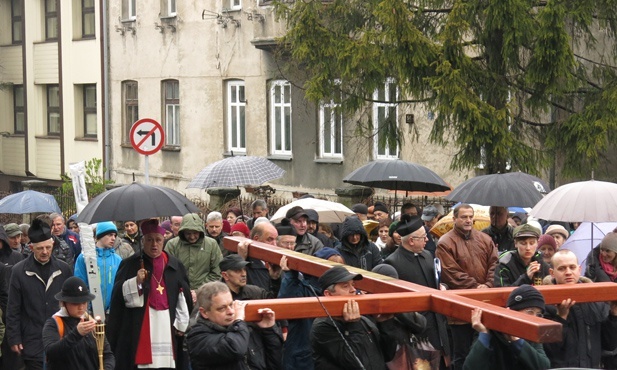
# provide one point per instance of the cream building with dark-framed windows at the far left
(51, 100)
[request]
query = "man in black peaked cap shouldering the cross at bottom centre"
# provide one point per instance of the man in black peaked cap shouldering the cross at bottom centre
(369, 344)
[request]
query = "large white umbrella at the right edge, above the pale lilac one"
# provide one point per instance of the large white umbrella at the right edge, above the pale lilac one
(593, 201)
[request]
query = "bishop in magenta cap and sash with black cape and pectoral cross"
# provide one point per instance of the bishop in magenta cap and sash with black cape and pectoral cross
(150, 306)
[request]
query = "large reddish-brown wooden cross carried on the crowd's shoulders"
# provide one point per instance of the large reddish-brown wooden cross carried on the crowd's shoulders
(390, 295)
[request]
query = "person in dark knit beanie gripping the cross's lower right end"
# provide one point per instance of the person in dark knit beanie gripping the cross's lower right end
(493, 350)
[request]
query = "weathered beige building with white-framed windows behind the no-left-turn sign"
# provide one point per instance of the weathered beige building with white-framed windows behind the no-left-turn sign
(207, 73)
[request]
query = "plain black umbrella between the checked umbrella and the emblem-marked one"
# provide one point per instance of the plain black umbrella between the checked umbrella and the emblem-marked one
(397, 175)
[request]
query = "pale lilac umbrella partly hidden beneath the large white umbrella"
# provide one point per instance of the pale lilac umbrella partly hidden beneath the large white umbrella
(586, 237)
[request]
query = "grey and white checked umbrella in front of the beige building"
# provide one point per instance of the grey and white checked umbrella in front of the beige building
(236, 171)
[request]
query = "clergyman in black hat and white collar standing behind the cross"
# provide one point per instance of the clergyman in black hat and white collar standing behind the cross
(415, 264)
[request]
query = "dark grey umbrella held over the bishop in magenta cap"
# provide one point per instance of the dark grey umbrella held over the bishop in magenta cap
(136, 202)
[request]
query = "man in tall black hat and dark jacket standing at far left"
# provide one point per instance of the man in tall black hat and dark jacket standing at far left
(34, 283)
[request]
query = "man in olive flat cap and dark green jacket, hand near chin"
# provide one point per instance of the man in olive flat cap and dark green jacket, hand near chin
(523, 265)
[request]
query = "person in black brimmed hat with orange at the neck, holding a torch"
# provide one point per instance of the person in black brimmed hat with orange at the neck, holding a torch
(68, 336)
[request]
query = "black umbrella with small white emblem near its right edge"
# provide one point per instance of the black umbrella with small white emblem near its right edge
(515, 189)
